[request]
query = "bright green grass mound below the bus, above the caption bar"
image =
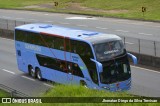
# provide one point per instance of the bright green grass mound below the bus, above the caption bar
(80, 91)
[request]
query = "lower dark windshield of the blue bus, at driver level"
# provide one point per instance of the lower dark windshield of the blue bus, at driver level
(115, 70)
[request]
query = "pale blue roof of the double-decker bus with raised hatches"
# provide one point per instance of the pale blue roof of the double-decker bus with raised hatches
(91, 36)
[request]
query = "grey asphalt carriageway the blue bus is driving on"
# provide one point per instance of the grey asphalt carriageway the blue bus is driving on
(145, 82)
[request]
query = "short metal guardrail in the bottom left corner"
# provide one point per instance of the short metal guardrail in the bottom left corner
(13, 92)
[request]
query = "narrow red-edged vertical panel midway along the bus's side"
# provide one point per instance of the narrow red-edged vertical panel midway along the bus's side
(68, 63)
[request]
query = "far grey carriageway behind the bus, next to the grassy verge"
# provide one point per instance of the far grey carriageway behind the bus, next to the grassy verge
(131, 29)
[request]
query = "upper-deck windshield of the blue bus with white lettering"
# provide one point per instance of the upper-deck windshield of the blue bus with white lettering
(106, 51)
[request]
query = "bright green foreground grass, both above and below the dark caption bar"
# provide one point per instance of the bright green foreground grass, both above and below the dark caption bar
(79, 91)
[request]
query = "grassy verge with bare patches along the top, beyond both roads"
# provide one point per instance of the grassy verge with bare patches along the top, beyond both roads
(122, 8)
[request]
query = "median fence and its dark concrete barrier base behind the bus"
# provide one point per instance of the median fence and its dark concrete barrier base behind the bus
(147, 51)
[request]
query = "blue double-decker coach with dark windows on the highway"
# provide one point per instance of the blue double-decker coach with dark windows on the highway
(72, 56)
